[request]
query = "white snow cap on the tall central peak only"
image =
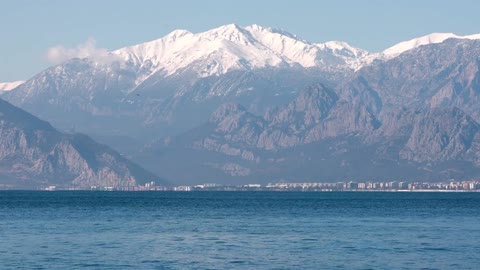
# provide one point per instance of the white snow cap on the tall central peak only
(231, 47)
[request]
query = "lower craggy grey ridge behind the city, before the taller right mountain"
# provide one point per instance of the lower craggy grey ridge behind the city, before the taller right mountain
(297, 143)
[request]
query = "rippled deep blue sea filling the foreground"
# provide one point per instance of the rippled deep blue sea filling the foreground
(247, 230)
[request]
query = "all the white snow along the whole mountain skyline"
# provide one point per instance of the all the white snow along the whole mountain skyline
(230, 48)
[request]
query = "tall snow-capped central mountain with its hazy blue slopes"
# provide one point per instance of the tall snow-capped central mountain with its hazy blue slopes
(146, 87)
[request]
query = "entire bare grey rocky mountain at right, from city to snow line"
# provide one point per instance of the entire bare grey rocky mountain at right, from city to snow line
(417, 111)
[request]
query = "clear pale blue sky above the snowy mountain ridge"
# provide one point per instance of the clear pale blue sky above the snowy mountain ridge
(29, 27)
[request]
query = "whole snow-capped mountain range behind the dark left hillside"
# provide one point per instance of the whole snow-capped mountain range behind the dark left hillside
(236, 104)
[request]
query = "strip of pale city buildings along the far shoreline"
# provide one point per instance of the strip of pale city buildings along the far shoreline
(350, 186)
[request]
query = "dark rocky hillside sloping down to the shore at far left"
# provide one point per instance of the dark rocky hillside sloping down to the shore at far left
(33, 154)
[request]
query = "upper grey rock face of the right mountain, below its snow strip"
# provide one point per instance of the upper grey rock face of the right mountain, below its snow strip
(438, 75)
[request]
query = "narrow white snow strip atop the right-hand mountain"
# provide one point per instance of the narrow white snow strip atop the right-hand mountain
(417, 42)
